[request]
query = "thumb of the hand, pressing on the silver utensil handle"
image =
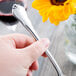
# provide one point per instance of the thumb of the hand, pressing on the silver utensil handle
(36, 49)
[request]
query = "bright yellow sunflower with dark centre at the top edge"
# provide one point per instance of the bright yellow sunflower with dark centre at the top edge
(55, 10)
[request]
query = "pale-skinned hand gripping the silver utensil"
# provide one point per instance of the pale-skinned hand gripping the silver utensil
(19, 54)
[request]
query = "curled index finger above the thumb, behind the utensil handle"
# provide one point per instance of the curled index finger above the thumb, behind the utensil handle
(20, 40)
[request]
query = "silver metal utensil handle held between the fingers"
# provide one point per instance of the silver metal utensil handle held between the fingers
(20, 13)
